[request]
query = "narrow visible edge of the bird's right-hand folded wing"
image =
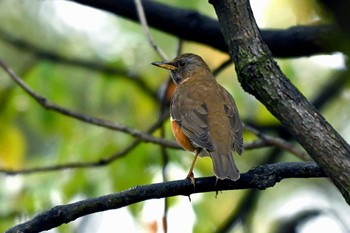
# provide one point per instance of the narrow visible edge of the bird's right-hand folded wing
(235, 123)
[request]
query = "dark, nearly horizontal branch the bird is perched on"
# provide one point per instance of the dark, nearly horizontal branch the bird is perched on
(261, 177)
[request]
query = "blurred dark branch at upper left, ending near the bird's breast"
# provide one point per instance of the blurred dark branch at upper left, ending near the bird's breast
(90, 65)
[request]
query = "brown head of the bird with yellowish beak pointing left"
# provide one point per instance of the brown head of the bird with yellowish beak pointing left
(185, 66)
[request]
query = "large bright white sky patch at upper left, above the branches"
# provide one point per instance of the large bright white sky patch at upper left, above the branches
(101, 29)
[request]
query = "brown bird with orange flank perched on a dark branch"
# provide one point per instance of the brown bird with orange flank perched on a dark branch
(204, 116)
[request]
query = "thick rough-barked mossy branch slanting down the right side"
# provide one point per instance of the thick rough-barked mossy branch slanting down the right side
(260, 75)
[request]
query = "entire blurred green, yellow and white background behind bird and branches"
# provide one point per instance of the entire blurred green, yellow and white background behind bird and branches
(98, 64)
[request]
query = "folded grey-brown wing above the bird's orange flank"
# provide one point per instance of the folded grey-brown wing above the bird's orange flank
(194, 124)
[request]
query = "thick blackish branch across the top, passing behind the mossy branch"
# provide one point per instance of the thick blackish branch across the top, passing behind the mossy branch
(193, 26)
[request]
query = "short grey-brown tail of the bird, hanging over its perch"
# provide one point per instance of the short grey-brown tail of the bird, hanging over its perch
(224, 165)
